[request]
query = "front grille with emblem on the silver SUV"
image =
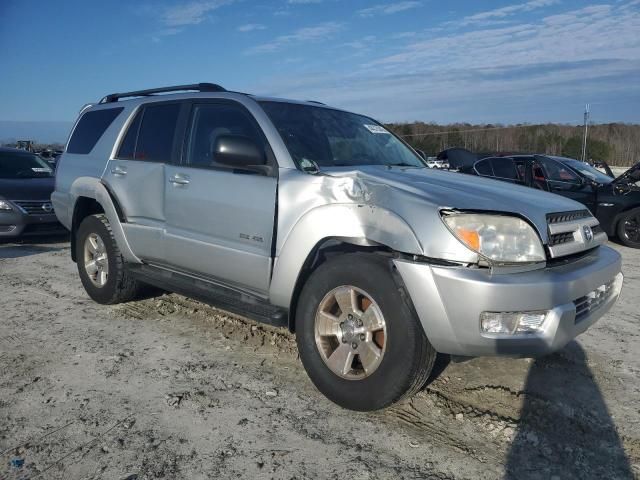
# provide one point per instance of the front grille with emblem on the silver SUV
(573, 232)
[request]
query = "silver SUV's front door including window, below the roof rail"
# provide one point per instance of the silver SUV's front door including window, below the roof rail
(220, 222)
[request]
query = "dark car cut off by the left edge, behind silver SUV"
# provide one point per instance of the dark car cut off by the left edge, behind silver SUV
(26, 184)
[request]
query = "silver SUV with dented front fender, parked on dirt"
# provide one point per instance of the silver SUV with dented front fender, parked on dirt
(322, 221)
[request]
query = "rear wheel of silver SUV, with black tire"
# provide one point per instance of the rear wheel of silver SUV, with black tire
(118, 286)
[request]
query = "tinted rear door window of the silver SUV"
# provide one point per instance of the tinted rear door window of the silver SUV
(155, 139)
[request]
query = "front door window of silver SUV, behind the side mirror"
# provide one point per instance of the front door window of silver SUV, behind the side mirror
(209, 122)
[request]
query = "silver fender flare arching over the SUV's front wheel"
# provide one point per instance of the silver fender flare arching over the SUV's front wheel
(357, 224)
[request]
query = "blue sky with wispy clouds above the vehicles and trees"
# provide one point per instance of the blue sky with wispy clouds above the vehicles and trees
(460, 60)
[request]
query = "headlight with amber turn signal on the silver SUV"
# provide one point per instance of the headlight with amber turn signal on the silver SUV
(502, 239)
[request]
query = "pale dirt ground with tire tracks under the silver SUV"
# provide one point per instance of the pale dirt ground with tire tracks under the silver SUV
(171, 388)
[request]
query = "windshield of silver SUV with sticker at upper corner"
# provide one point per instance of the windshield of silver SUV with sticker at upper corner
(331, 138)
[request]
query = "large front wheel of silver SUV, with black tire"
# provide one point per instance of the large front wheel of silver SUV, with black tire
(407, 356)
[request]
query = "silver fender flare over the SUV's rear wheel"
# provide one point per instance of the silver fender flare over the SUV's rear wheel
(93, 188)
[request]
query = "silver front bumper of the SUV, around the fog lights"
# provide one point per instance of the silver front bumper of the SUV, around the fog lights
(449, 301)
